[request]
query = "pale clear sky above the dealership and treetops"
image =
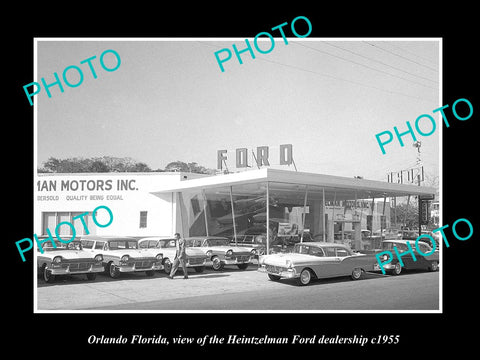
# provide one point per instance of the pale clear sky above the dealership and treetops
(169, 101)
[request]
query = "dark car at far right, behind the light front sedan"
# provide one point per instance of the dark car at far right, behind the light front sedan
(429, 262)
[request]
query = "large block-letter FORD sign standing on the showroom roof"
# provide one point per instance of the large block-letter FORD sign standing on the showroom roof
(259, 158)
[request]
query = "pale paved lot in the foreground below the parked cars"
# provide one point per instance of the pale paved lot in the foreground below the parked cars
(235, 289)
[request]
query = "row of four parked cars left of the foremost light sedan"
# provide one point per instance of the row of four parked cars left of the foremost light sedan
(115, 255)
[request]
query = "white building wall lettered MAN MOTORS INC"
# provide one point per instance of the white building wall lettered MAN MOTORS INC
(125, 194)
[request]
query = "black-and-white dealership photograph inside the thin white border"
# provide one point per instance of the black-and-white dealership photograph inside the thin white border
(273, 198)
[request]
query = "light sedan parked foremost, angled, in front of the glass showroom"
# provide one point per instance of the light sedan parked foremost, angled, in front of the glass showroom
(316, 260)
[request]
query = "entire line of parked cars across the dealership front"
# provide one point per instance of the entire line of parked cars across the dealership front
(306, 261)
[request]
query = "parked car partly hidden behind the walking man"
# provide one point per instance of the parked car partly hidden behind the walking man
(196, 258)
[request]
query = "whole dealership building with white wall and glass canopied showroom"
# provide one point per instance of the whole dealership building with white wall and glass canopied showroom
(266, 202)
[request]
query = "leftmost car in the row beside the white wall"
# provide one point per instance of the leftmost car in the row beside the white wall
(67, 259)
